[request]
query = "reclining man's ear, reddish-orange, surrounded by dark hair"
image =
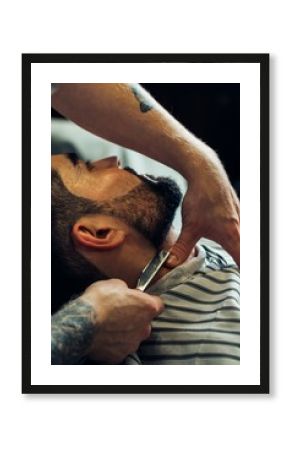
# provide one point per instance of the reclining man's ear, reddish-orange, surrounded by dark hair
(97, 233)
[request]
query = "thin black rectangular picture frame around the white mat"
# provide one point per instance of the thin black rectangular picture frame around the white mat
(263, 61)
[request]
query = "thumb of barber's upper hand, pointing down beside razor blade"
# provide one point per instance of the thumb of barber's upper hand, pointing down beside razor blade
(182, 248)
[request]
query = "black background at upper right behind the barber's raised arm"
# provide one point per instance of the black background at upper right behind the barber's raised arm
(210, 111)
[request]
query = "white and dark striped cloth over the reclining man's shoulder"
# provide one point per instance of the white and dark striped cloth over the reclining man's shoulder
(201, 320)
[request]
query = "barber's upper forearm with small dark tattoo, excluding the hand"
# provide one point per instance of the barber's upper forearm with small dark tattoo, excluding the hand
(127, 115)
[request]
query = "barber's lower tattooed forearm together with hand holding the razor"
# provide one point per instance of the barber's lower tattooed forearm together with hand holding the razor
(106, 323)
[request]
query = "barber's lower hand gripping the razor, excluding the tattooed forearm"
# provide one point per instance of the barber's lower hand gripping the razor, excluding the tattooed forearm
(123, 318)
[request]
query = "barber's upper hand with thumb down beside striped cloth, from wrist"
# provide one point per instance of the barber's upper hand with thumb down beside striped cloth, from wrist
(210, 209)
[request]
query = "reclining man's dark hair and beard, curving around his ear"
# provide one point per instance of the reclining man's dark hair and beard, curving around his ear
(149, 208)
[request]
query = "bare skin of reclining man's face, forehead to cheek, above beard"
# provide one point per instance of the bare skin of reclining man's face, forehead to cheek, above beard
(99, 181)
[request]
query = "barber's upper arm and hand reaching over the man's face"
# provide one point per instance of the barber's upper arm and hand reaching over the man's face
(127, 115)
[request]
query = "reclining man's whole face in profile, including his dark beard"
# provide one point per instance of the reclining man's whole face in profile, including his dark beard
(145, 202)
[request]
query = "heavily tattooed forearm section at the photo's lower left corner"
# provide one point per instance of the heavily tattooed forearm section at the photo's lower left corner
(72, 332)
